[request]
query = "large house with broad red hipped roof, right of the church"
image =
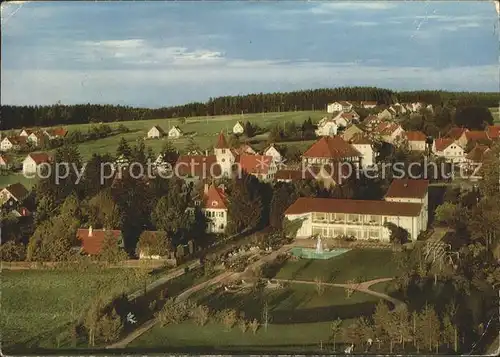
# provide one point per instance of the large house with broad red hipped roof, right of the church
(331, 149)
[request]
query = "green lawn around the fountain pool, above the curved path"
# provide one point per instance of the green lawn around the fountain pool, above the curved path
(358, 264)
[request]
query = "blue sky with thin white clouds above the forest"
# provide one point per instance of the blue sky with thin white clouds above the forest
(155, 54)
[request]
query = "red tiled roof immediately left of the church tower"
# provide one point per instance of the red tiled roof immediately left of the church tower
(198, 165)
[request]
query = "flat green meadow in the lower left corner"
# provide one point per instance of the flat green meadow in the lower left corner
(37, 303)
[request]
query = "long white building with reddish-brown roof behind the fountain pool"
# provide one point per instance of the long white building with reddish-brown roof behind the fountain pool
(360, 219)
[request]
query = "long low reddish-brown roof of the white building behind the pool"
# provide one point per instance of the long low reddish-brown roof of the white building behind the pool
(332, 205)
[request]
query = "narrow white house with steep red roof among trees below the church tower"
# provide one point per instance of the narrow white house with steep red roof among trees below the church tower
(214, 207)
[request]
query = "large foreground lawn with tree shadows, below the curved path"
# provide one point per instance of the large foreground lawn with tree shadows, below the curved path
(299, 321)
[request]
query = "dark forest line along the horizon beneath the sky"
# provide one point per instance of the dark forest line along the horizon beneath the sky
(317, 99)
